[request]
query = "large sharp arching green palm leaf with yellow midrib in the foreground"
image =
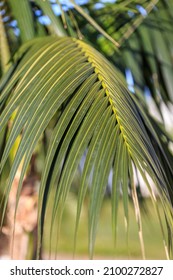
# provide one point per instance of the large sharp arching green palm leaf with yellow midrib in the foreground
(95, 113)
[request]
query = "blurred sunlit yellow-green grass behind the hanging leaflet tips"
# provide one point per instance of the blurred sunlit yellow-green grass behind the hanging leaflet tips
(104, 247)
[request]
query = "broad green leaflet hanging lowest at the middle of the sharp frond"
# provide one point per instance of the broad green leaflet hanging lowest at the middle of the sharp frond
(101, 171)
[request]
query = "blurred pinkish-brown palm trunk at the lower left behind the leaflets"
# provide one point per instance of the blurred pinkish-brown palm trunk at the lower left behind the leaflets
(17, 234)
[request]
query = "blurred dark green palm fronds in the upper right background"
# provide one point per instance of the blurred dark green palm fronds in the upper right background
(144, 31)
